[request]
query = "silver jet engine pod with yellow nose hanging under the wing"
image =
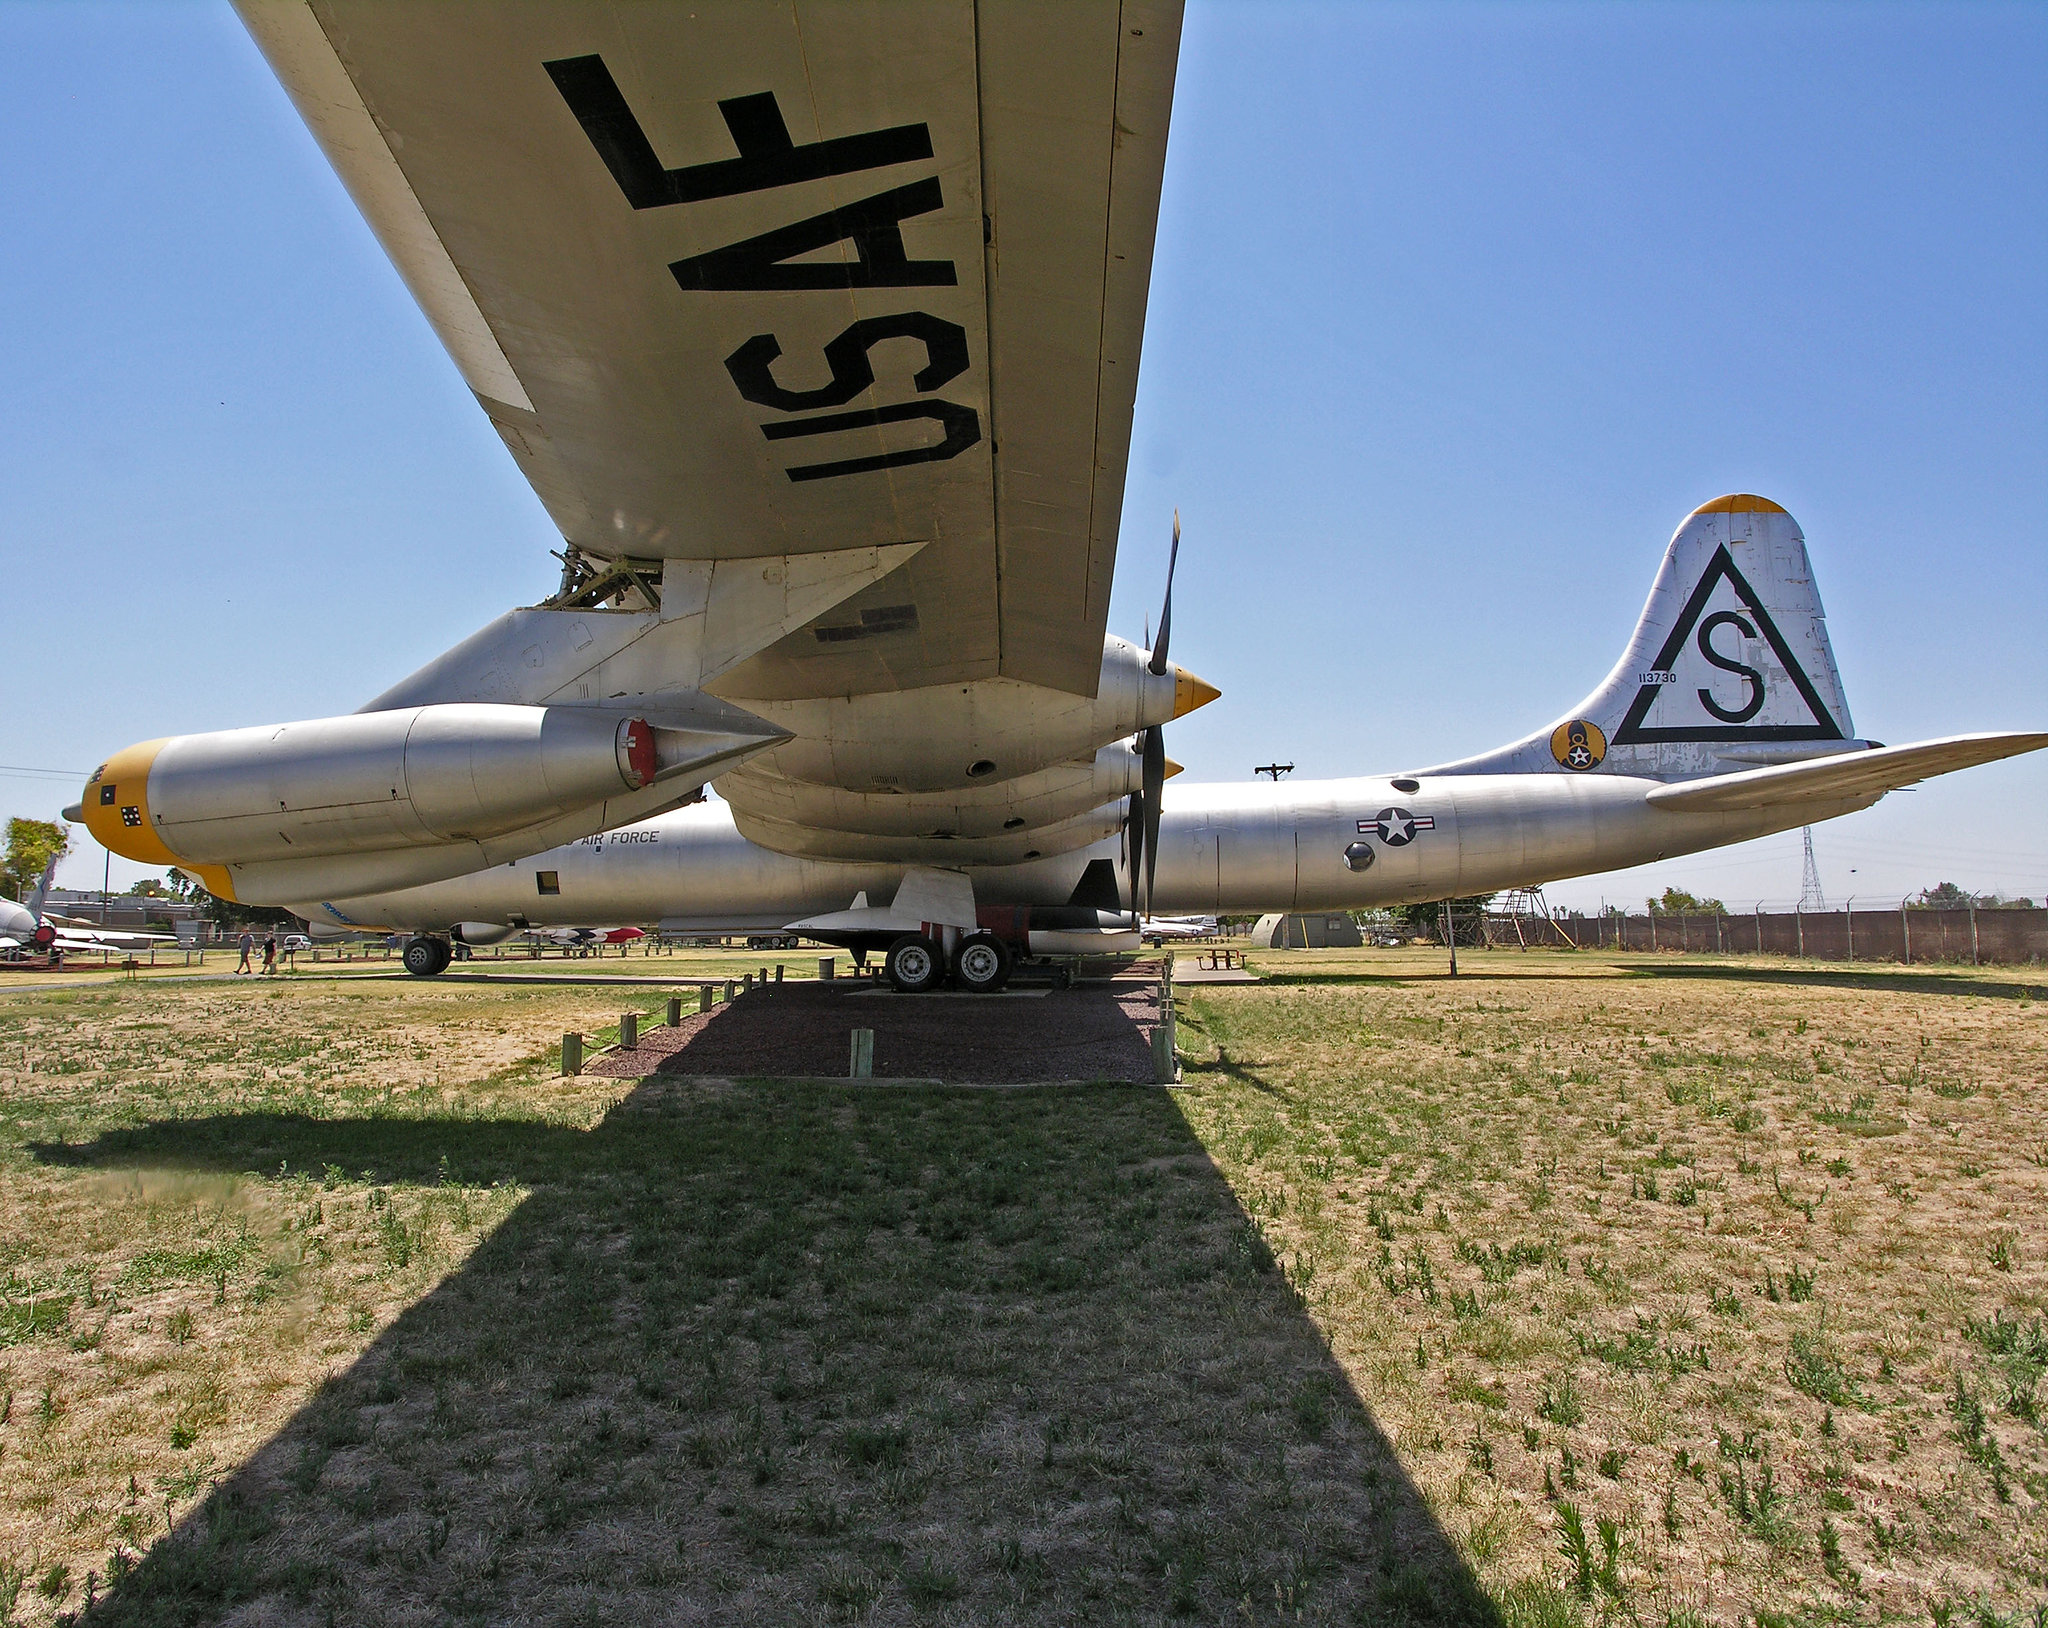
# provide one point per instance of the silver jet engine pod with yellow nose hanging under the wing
(376, 781)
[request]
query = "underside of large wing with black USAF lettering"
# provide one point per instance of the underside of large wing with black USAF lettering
(740, 280)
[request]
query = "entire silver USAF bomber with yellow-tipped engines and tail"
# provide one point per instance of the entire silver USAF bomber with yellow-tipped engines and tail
(816, 331)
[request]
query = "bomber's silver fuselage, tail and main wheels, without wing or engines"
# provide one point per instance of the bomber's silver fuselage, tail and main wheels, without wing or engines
(1723, 722)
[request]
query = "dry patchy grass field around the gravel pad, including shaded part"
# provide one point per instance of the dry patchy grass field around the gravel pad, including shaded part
(1584, 1289)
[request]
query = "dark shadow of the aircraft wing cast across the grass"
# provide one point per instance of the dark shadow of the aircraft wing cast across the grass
(781, 1353)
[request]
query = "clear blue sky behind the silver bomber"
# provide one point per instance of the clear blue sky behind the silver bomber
(1457, 312)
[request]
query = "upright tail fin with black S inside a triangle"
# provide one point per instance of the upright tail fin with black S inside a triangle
(1730, 665)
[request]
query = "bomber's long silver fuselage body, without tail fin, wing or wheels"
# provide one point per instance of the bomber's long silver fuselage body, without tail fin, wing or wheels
(1236, 849)
